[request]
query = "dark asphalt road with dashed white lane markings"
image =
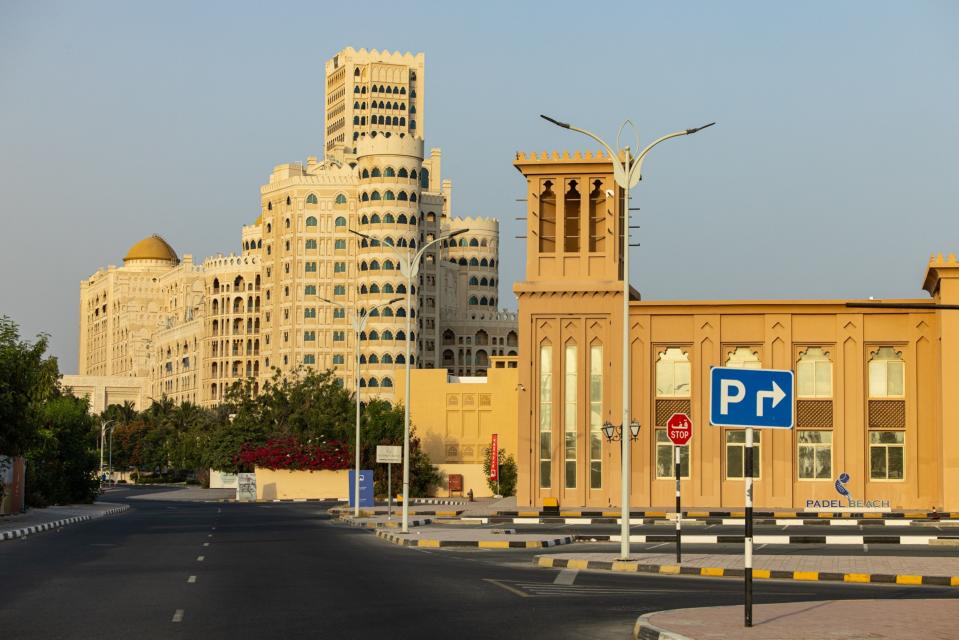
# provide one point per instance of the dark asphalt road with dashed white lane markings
(199, 570)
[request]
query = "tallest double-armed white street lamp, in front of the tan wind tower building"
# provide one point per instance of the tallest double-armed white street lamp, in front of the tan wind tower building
(627, 173)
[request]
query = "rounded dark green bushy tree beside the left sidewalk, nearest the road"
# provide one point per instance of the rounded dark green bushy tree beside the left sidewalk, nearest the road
(61, 460)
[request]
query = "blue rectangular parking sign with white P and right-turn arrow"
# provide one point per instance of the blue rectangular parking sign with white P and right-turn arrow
(760, 398)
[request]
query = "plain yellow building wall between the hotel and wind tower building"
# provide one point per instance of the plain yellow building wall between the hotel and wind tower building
(455, 418)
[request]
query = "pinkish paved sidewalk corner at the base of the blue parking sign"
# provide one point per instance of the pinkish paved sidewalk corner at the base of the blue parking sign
(823, 620)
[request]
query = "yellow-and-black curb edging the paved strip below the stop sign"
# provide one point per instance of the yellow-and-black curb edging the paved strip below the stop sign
(622, 566)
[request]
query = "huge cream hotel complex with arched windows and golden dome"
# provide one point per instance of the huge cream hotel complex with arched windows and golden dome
(161, 326)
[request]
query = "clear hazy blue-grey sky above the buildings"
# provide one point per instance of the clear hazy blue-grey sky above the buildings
(831, 173)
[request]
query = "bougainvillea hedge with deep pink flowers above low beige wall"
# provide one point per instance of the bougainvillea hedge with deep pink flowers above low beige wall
(289, 453)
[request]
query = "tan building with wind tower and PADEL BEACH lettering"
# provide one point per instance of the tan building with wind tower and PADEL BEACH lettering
(872, 384)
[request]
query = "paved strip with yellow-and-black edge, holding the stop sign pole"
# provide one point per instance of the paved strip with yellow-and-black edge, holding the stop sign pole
(904, 570)
